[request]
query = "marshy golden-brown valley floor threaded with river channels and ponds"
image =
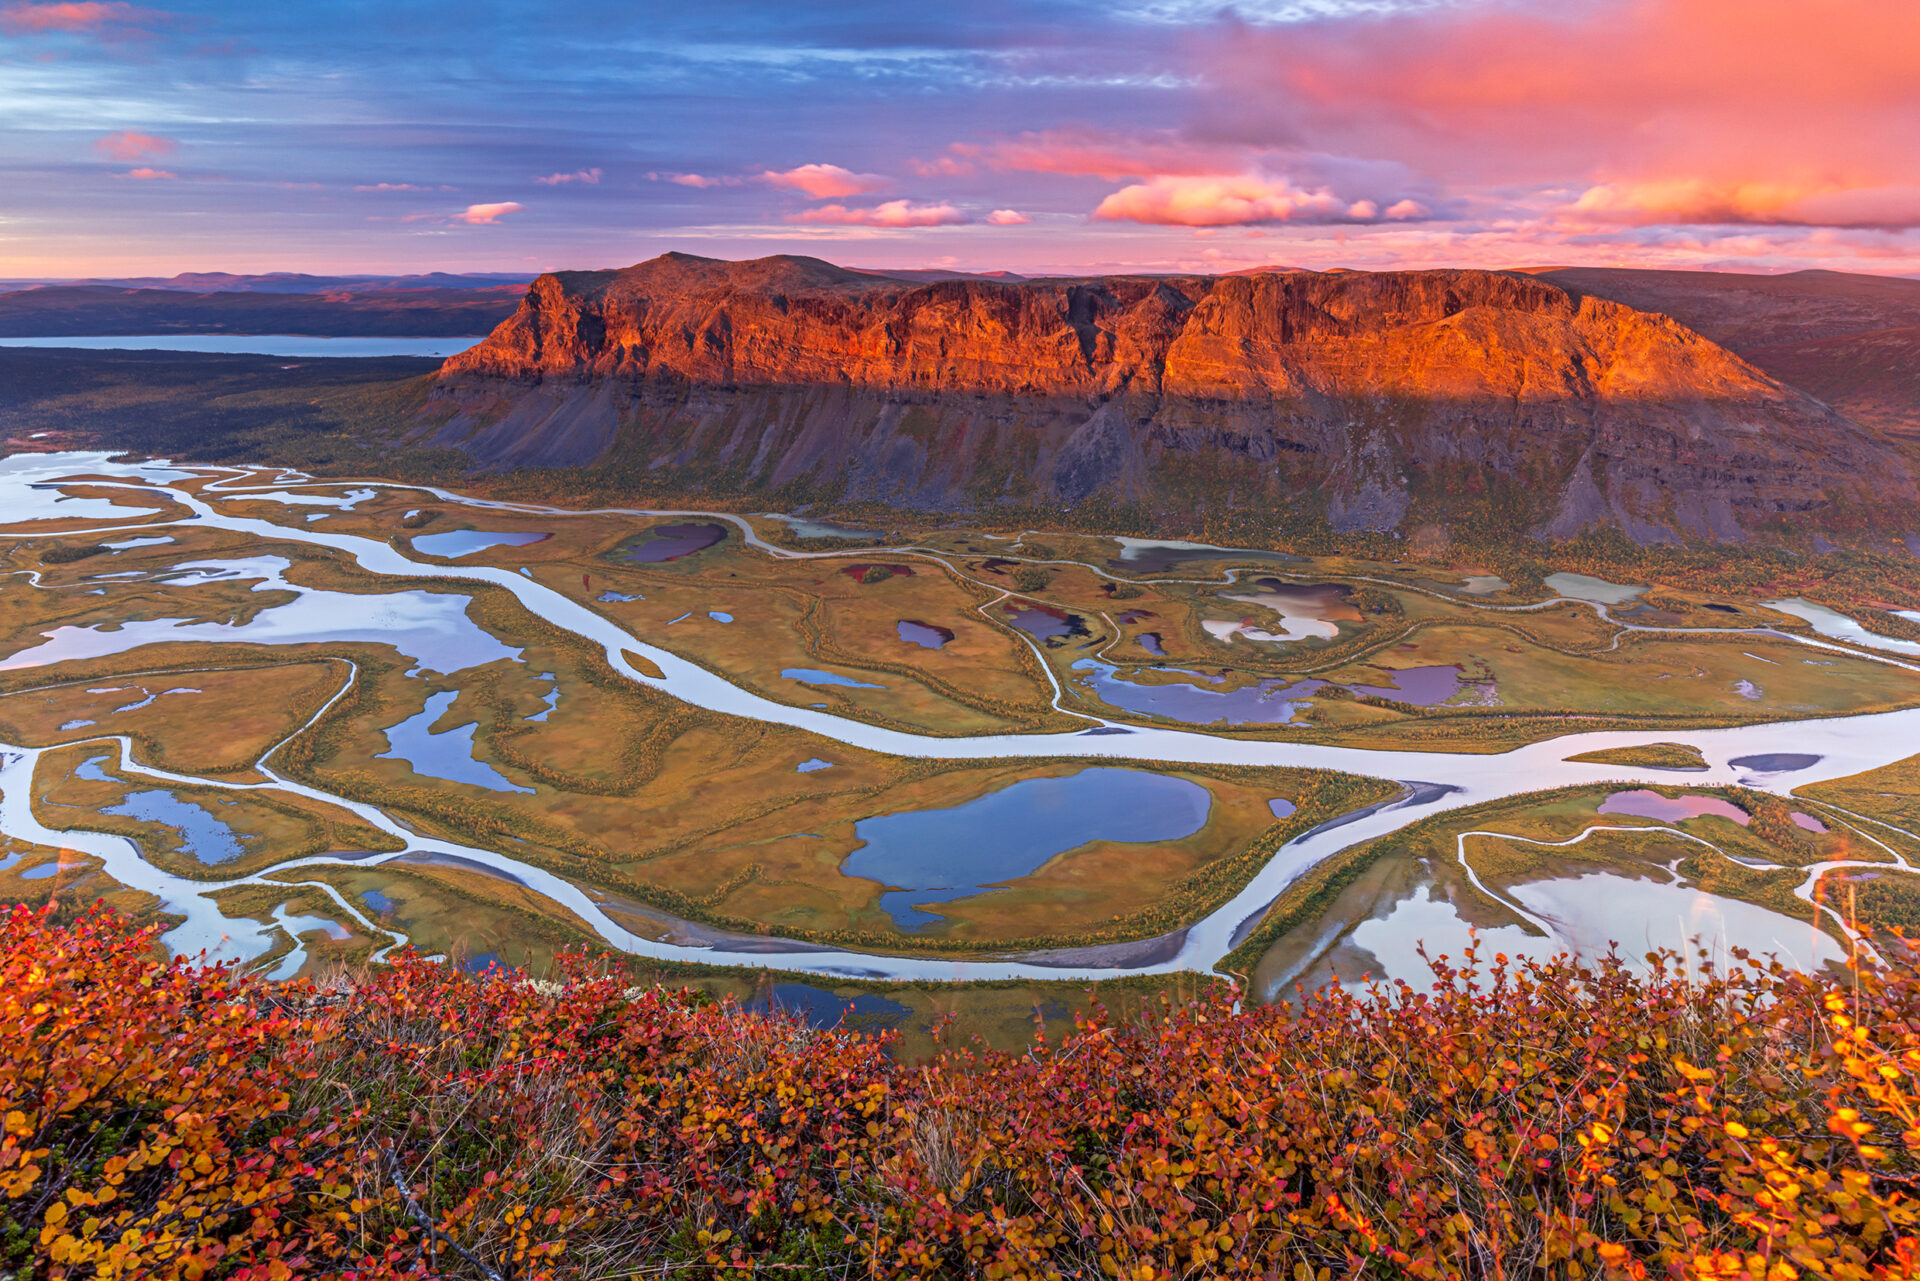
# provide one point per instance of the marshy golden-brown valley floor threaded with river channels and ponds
(308, 721)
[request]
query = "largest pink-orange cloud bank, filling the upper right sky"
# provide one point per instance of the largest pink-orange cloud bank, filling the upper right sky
(1687, 110)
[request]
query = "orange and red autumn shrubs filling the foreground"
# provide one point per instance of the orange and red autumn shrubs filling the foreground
(168, 1121)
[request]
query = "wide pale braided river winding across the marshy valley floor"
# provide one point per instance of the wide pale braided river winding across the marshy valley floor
(32, 493)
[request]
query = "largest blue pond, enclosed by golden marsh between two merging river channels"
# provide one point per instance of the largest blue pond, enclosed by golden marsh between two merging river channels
(953, 854)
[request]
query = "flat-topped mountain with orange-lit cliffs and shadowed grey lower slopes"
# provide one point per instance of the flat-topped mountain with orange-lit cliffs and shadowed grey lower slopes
(1374, 400)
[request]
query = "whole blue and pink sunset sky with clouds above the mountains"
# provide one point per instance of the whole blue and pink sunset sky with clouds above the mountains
(1020, 135)
